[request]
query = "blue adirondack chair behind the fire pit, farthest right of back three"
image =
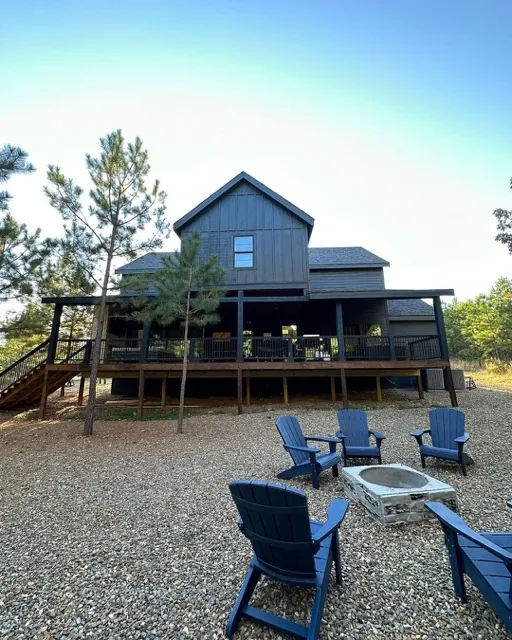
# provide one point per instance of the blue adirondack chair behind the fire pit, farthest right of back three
(448, 437)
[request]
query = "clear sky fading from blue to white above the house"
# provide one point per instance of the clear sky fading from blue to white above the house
(388, 122)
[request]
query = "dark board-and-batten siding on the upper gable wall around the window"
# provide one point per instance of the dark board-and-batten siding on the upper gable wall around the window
(280, 239)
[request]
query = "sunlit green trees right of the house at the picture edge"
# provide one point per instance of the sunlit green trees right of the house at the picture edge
(481, 328)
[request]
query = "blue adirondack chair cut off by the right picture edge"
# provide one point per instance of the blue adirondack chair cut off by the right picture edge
(485, 557)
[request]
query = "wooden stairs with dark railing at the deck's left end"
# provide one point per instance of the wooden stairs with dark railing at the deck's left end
(21, 383)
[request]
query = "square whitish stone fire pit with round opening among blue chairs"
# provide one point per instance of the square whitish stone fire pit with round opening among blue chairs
(394, 493)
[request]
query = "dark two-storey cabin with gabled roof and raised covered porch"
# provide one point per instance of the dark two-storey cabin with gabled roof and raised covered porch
(293, 317)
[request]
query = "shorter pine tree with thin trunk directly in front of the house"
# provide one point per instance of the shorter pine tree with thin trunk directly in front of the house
(188, 291)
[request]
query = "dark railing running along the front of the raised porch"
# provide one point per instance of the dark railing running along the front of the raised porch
(256, 349)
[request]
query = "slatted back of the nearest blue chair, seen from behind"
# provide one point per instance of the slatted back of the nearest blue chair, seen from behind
(276, 520)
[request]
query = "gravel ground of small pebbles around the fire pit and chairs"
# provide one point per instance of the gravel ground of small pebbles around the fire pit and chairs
(132, 533)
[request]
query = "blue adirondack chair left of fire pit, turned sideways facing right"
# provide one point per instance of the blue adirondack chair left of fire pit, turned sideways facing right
(306, 460)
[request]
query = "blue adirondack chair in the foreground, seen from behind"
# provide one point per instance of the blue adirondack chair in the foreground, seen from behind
(288, 548)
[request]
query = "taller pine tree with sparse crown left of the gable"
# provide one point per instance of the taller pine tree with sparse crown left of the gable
(123, 218)
